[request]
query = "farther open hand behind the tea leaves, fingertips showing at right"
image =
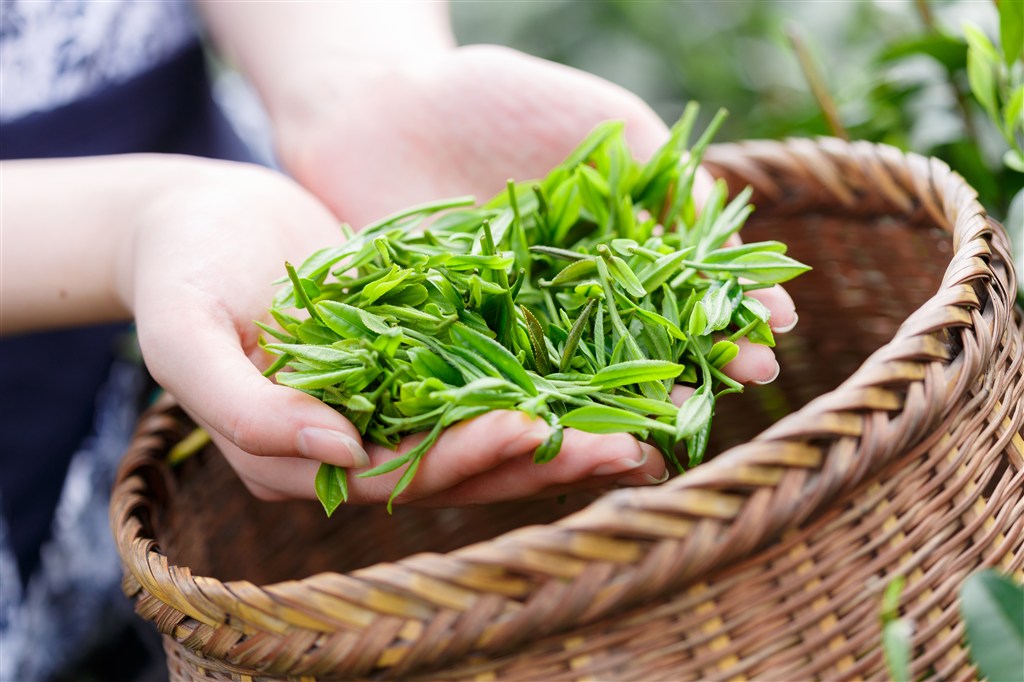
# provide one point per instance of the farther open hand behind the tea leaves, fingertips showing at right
(382, 136)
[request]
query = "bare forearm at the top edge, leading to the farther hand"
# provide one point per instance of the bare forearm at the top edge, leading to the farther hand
(292, 52)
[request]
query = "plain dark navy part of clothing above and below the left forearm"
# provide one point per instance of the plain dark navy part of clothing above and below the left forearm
(50, 381)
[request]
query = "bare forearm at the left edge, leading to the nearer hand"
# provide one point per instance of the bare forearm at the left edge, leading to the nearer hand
(68, 236)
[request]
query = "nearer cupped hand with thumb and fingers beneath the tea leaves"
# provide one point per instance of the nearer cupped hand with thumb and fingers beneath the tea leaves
(205, 254)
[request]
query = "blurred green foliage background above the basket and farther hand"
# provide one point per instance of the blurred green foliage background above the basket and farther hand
(897, 72)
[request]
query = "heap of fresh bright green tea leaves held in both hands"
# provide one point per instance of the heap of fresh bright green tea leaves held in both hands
(581, 300)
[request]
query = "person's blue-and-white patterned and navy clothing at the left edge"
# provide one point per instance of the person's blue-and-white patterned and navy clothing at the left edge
(82, 78)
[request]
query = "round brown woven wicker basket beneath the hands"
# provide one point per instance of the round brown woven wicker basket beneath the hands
(890, 446)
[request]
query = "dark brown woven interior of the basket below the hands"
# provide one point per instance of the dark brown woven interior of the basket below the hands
(870, 275)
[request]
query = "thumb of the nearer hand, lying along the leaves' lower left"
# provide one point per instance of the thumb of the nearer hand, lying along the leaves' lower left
(218, 383)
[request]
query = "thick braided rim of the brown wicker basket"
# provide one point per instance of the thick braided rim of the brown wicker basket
(720, 511)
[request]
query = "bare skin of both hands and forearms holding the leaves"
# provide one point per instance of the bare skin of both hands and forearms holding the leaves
(369, 116)
